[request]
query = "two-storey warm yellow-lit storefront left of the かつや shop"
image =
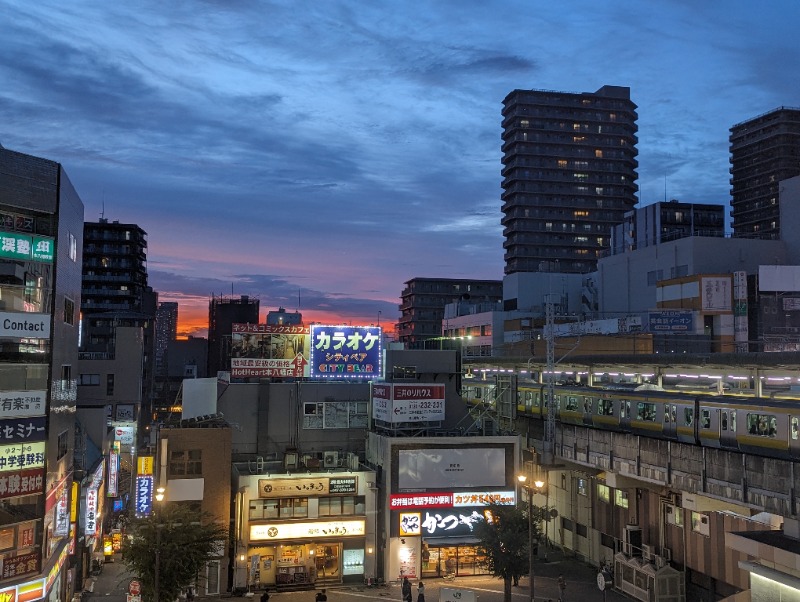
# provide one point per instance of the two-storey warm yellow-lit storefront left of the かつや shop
(310, 529)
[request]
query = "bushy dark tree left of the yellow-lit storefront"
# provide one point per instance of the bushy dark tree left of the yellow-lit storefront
(166, 551)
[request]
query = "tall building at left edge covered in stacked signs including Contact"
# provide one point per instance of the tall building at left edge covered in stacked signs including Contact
(41, 227)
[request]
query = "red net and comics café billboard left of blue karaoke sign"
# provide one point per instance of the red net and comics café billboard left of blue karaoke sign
(266, 350)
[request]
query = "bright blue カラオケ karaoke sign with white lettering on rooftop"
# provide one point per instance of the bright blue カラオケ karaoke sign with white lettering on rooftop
(346, 351)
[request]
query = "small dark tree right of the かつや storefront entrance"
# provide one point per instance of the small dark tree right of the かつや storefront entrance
(503, 541)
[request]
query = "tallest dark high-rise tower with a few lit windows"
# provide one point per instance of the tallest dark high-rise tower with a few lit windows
(569, 176)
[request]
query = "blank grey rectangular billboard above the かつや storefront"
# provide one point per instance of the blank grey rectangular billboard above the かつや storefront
(456, 468)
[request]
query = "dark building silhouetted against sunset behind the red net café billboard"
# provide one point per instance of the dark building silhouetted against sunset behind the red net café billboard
(223, 313)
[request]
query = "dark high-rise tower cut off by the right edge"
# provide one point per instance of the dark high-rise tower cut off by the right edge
(765, 151)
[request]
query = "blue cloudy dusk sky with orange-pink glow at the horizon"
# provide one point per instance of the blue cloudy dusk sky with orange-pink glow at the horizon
(317, 155)
